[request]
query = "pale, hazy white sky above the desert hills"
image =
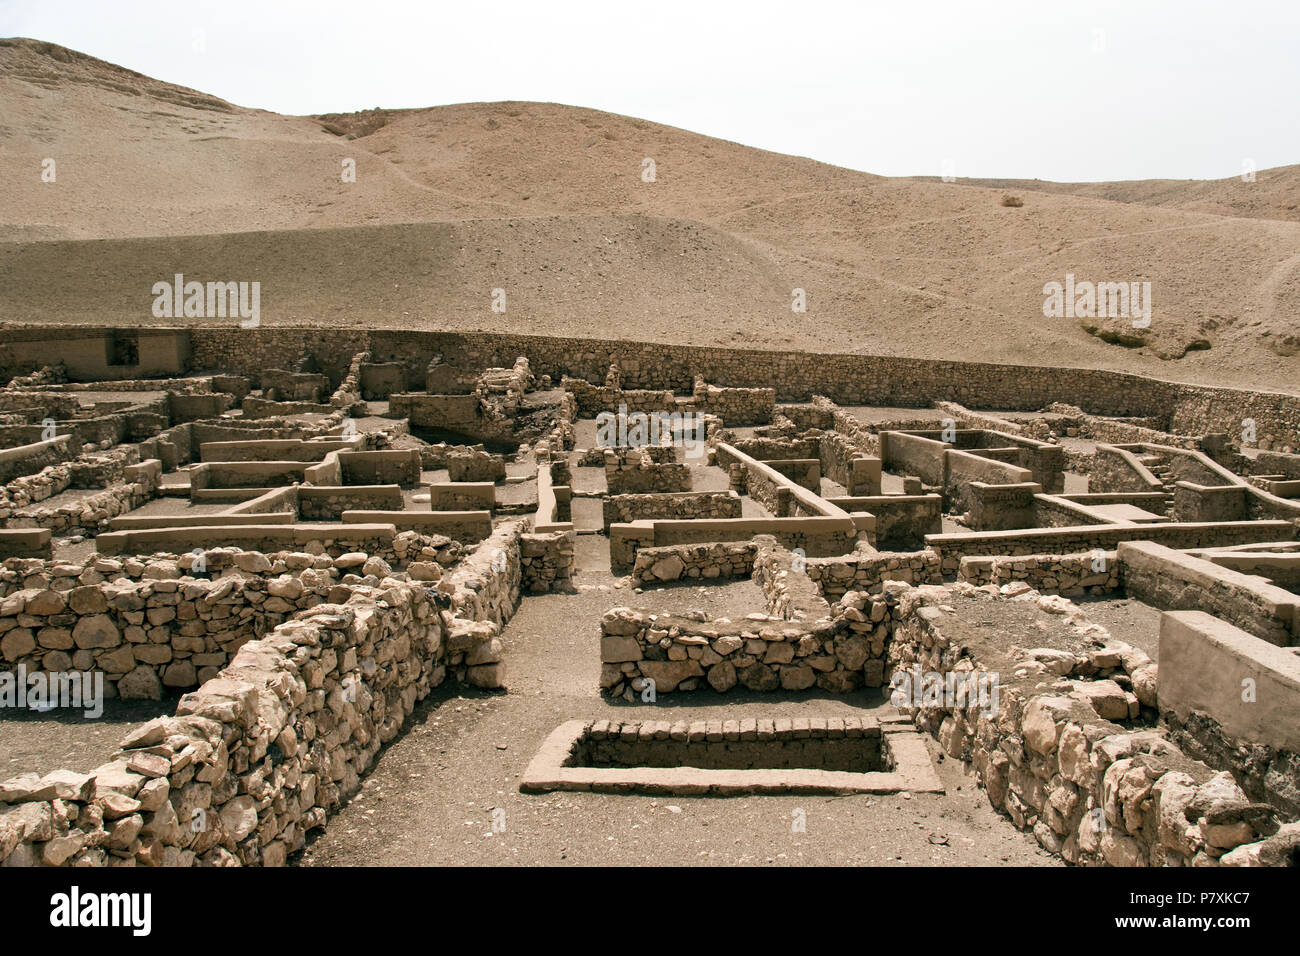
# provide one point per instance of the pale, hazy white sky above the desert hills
(1065, 92)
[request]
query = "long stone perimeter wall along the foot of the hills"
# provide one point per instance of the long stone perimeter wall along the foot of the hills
(795, 377)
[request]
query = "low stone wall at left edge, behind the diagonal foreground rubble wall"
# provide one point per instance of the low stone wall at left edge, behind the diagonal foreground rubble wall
(149, 625)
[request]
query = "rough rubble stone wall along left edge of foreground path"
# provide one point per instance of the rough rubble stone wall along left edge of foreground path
(257, 758)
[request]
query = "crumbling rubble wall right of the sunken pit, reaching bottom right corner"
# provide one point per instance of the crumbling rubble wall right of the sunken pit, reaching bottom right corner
(1090, 790)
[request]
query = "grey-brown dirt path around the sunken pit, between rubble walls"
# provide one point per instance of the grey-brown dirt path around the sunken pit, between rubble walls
(431, 798)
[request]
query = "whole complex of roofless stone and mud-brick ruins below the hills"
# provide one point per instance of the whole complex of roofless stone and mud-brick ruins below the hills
(710, 574)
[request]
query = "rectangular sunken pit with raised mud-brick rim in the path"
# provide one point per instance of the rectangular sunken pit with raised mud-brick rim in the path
(837, 755)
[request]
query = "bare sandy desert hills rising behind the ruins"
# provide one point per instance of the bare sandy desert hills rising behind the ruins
(548, 202)
